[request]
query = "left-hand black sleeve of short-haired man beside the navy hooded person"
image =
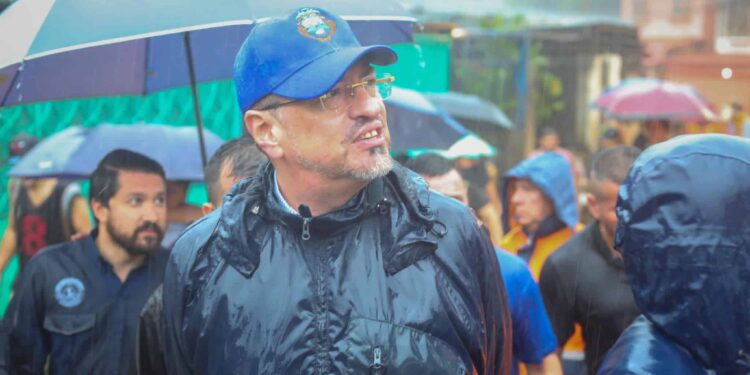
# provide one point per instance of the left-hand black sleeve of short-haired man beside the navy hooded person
(559, 301)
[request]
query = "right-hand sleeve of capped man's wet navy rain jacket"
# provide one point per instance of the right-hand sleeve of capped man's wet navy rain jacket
(499, 342)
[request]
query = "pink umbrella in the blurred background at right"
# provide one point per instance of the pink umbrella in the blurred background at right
(650, 99)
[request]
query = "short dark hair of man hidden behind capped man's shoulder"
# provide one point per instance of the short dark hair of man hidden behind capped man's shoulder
(245, 157)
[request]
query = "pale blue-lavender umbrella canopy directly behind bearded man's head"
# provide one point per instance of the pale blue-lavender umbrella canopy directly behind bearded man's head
(76, 151)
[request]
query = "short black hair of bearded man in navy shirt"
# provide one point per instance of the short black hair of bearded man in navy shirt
(104, 182)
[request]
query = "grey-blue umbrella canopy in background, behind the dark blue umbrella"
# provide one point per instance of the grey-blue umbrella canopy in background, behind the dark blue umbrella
(470, 107)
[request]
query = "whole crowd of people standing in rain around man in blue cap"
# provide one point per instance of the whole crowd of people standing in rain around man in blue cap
(318, 254)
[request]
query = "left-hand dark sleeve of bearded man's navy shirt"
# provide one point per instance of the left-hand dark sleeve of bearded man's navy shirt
(27, 346)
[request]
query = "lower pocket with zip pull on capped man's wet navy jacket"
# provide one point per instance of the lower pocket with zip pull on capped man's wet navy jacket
(380, 348)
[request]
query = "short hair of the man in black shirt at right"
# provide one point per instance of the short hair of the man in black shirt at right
(612, 165)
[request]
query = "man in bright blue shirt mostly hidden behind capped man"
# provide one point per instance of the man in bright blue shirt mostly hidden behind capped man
(534, 342)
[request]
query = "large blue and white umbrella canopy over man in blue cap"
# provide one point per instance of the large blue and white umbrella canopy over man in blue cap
(87, 48)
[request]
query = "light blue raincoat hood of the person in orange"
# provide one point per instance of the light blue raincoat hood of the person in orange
(551, 173)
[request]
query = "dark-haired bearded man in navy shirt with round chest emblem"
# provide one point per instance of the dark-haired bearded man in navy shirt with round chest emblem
(77, 303)
